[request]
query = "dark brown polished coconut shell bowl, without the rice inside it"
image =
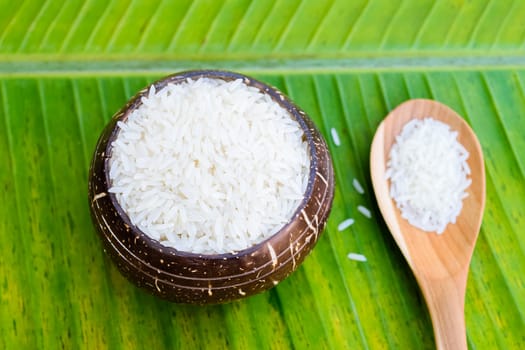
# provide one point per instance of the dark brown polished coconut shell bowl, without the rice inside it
(216, 278)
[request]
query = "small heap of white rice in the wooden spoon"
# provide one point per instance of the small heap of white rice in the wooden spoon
(428, 173)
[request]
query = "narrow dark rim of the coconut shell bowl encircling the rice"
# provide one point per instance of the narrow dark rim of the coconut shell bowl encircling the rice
(177, 78)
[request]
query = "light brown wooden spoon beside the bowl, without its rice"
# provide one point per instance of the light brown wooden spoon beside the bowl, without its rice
(439, 262)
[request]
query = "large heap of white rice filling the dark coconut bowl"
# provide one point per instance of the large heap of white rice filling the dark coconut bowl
(209, 166)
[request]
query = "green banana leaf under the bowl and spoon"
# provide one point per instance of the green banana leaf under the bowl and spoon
(67, 66)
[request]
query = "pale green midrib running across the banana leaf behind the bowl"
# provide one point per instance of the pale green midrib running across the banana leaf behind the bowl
(118, 64)
